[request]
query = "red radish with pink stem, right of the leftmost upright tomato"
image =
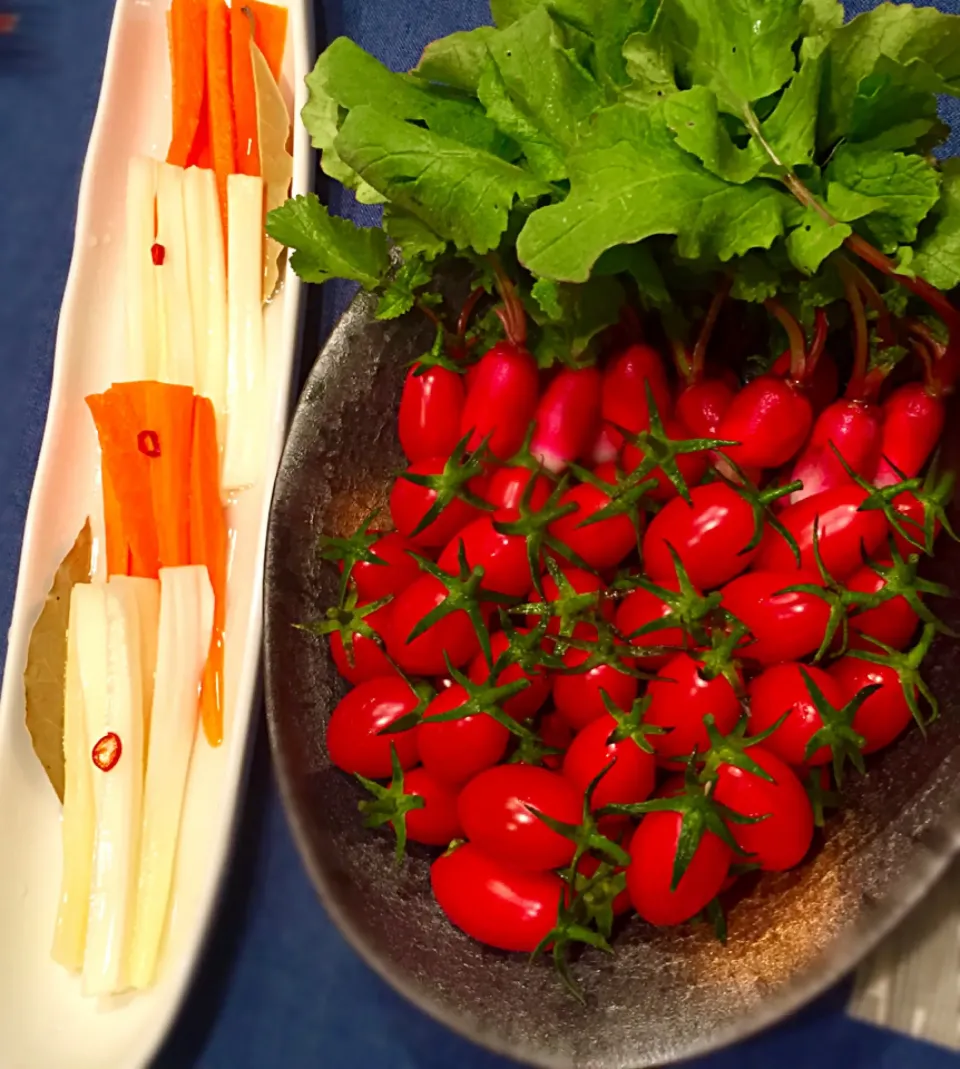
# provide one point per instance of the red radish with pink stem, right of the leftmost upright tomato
(502, 400)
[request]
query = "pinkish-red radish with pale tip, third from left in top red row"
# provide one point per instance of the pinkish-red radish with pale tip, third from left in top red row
(567, 419)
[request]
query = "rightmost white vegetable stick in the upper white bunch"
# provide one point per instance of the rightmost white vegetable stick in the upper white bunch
(246, 375)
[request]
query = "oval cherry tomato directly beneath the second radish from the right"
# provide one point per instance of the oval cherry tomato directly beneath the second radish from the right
(844, 533)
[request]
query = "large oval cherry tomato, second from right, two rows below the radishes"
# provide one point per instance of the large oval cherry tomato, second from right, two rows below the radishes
(784, 626)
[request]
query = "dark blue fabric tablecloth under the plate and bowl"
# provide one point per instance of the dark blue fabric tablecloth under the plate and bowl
(280, 989)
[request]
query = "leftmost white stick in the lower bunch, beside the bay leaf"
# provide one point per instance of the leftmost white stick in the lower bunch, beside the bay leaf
(70, 936)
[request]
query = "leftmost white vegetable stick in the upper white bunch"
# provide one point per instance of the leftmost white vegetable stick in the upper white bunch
(143, 339)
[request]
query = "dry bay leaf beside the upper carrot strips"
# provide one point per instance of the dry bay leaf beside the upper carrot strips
(276, 164)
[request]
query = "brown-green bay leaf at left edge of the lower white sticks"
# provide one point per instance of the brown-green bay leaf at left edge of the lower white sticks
(45, 675)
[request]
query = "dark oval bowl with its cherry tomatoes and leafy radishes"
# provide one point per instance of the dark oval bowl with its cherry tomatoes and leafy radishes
(620, 630)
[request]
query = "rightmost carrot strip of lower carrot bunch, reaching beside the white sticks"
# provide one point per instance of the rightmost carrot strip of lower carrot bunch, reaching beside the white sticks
(209, 547)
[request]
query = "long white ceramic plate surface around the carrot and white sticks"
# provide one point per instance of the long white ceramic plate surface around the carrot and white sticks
(44, 1021)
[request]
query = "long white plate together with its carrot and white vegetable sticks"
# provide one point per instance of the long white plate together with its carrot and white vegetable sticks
(129, 692)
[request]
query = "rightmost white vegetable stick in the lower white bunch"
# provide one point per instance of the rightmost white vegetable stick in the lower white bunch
(187, 623)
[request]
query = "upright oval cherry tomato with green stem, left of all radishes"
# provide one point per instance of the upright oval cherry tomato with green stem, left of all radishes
(430, 410)
